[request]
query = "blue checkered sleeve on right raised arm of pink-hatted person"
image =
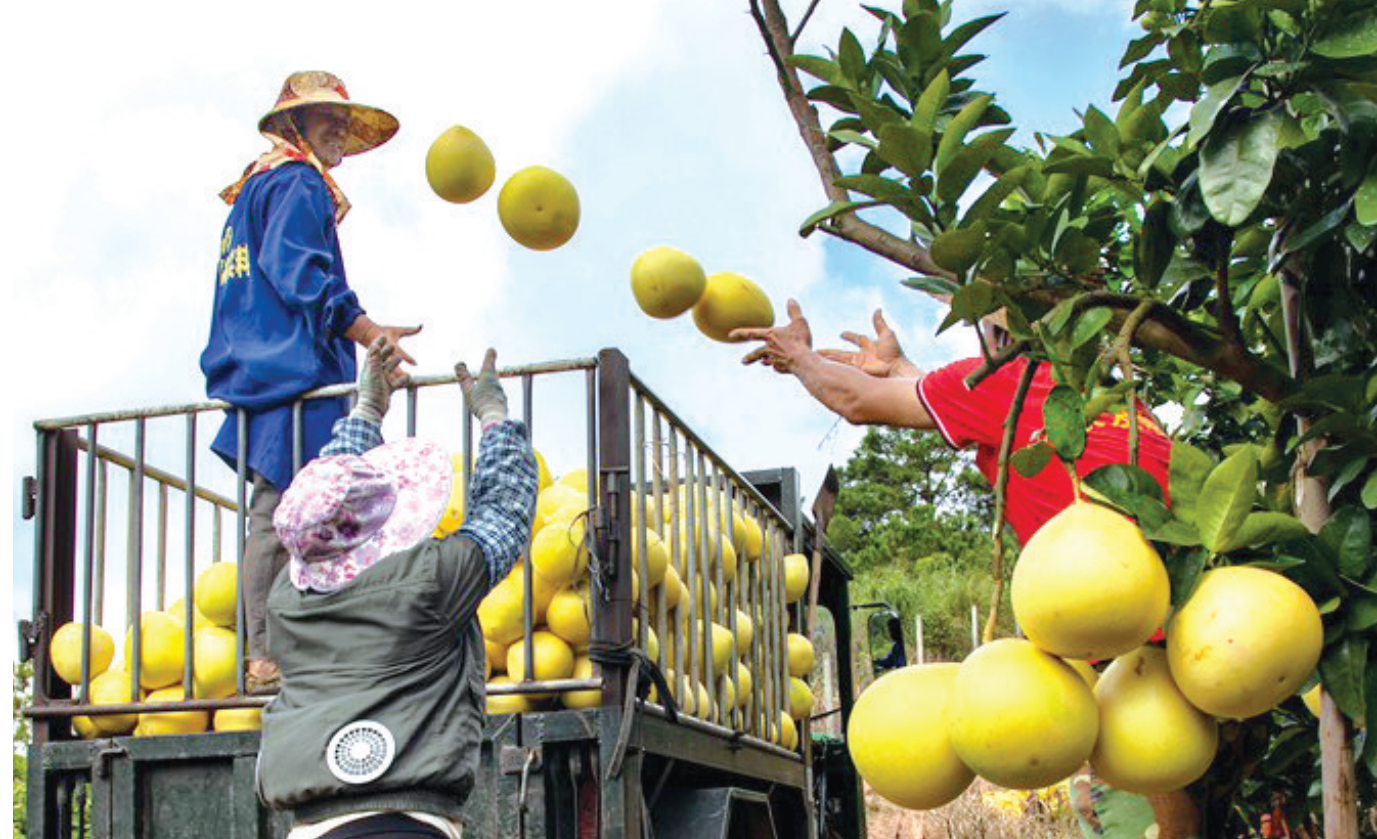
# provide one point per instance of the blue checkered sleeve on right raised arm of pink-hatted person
(502, 501)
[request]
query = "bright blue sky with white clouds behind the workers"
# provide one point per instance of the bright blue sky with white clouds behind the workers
(130, 119)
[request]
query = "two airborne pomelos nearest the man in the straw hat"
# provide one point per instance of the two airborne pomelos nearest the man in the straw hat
(538, 207)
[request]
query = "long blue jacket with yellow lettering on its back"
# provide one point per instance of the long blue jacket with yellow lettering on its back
(282, 308)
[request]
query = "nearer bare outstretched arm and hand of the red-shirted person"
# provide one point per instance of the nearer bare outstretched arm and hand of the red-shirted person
(846, 391)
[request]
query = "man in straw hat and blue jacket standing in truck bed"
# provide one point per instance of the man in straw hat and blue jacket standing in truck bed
(286, 320)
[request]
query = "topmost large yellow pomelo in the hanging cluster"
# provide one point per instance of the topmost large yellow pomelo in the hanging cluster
(1089, 586)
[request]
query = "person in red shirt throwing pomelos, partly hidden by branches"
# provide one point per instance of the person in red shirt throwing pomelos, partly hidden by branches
(878, 385)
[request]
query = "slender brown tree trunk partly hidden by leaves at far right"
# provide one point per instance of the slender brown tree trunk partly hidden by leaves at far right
(1336, 747)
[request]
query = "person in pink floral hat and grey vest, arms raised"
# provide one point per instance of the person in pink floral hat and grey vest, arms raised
(378, 727)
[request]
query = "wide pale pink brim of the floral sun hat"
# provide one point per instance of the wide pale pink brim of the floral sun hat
(422, 475)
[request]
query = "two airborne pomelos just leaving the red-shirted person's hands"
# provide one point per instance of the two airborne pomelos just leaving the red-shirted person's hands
(669, 283)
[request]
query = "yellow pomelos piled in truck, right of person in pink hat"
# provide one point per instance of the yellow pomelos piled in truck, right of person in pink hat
(563, 608)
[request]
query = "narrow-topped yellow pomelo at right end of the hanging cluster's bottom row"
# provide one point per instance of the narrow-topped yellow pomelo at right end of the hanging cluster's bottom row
(1152, 739)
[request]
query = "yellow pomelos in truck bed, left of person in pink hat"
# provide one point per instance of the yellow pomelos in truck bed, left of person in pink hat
(163, 665)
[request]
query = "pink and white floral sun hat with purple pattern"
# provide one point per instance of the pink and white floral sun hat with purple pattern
(345, 513)
